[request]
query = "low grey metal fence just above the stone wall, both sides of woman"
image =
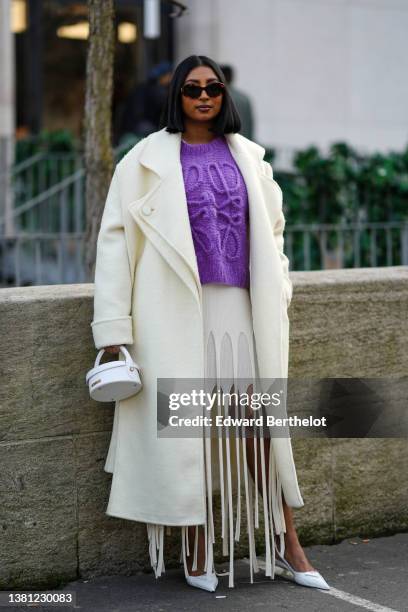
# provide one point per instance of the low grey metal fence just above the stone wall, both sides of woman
(43, 258)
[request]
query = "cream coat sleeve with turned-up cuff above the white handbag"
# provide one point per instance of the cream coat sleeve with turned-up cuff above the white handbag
(112, 321)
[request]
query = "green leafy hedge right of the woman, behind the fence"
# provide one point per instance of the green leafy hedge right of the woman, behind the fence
(345, 186)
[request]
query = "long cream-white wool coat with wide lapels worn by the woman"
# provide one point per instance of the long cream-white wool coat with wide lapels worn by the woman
(148, 297)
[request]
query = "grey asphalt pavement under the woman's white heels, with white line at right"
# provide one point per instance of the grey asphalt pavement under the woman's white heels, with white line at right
(370, 575)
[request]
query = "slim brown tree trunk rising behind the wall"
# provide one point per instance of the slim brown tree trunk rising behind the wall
(98, 156)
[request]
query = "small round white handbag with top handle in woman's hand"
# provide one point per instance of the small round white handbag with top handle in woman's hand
(114, 380)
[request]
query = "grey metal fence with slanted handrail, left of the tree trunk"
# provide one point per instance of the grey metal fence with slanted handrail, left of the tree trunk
(49, 217)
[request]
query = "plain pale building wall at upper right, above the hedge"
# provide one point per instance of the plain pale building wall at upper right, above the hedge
(317, 71)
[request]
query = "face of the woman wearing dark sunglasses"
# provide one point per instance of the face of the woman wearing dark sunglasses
(202, 75)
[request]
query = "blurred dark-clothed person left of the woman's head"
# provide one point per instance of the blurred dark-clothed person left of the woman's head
(140, 112)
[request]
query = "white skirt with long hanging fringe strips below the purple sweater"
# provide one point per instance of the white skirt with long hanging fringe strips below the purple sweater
(230, 359)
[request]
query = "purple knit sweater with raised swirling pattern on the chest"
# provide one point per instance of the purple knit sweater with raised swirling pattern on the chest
(218, 209)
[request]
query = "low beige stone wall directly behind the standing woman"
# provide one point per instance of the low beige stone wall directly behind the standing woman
(54, 439)
